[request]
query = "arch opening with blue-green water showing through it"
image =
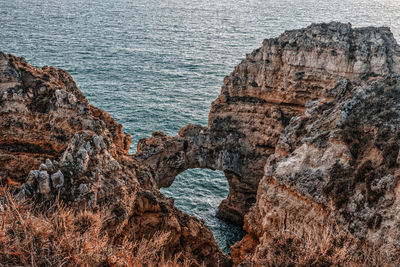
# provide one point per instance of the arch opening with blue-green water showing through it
(199, 192)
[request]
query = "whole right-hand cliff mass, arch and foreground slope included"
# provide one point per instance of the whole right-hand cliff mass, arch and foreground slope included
(314, 112)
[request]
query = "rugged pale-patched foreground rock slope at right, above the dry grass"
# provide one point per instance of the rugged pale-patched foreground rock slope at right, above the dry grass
(341, 155)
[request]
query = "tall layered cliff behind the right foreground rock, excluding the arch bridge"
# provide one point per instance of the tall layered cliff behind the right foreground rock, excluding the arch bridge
(274, 83)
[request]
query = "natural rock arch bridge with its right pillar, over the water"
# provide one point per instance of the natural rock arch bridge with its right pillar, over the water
(197, 147)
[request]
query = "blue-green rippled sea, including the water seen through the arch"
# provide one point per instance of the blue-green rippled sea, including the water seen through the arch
(158, 64)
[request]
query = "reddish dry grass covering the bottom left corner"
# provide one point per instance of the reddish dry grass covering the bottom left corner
(59, 236)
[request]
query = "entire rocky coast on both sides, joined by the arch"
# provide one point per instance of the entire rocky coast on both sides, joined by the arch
(306, 129)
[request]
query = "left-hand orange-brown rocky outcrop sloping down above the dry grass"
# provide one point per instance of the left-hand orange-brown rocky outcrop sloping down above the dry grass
(63, 149)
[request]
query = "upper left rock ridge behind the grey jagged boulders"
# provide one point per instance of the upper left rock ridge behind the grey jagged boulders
(41, 110)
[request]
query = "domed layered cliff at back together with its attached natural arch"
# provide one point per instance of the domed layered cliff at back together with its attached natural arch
(259, 98)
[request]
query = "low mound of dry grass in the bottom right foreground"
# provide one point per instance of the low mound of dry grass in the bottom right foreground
(320, 248)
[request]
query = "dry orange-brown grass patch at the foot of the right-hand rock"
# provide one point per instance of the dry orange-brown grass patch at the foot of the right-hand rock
(317, 244)
